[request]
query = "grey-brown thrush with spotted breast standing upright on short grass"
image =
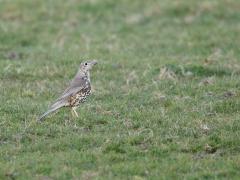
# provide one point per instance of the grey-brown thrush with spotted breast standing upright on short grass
(77, 92)
